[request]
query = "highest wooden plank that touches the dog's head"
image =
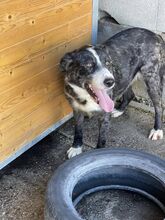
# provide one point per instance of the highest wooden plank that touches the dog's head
(14, 75)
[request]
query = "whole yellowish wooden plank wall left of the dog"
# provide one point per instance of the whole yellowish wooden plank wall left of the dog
(34, 34)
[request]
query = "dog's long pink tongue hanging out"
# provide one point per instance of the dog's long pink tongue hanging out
(105, 101)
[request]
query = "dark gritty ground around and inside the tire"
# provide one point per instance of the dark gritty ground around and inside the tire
(23, 183)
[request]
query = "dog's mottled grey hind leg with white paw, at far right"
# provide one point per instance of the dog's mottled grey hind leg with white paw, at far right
(154, 86)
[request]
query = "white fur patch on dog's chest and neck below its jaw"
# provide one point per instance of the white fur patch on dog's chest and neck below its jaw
(90, 105)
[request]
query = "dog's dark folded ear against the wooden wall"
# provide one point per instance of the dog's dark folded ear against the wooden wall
(67, 61)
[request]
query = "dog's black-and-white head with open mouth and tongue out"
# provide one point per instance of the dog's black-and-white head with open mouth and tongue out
(90, 68)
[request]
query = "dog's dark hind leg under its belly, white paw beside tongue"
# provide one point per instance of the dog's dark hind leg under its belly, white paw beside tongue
(125, 100)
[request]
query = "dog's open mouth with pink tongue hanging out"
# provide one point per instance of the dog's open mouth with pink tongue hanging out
(101, 97)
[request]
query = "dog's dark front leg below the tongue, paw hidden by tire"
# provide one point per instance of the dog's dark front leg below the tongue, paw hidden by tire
(104, 122)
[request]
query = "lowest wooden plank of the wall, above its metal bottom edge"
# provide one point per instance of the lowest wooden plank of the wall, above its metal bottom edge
(34, 124)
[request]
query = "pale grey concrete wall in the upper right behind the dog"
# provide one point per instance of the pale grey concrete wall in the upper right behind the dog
(140, 13)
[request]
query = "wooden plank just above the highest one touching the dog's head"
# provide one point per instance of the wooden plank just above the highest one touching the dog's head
(53, 38)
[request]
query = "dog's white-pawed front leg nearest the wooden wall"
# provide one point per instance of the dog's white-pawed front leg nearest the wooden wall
(78, 135)
